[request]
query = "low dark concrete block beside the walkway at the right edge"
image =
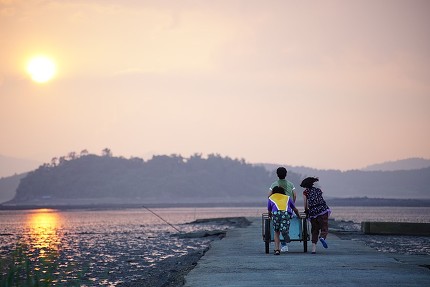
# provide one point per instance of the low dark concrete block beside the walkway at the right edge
(396, 228)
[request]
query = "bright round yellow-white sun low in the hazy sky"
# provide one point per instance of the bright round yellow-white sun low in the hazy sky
(41, 69)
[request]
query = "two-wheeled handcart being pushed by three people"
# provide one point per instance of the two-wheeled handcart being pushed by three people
(299, 230)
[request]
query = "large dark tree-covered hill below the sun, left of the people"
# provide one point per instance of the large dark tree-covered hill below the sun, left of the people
(95, 179)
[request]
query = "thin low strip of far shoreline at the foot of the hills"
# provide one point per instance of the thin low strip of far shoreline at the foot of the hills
(358, 201)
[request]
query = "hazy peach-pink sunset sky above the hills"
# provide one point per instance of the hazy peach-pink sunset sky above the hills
(326, 84)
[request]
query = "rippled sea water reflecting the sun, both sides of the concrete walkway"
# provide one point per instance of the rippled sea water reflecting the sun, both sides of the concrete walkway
(102, 245)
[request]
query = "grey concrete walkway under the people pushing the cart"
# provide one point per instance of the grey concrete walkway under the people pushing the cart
(240, 260)
